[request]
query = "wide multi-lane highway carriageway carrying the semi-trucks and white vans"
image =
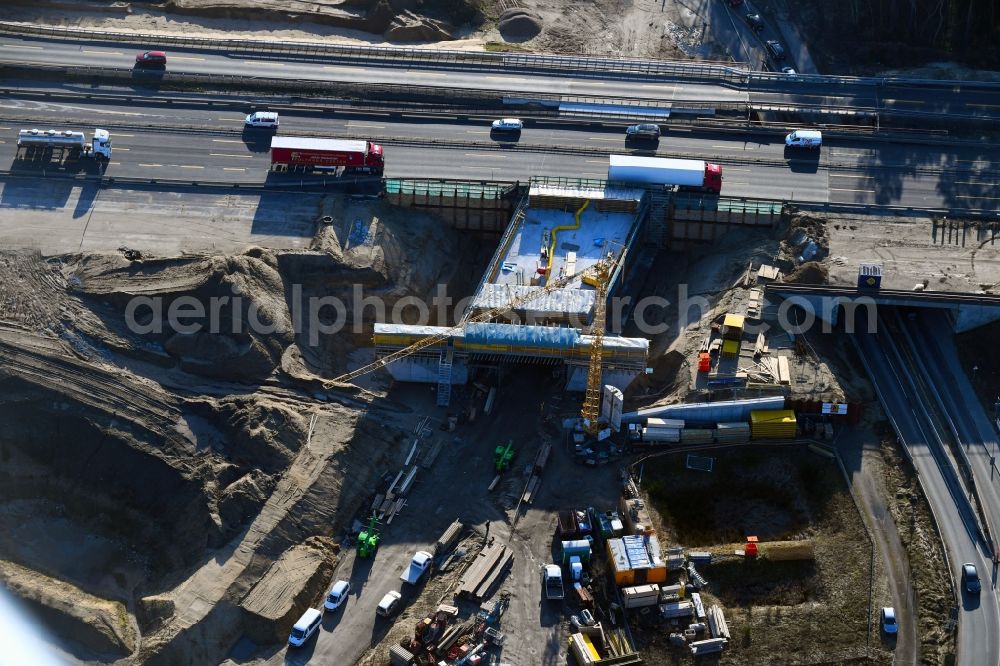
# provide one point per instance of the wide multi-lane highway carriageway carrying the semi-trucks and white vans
(159, 142)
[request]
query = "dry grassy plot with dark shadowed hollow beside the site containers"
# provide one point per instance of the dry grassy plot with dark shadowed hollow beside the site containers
(808, 611)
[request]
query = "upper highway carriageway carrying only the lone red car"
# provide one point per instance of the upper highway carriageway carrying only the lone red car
(971, 101)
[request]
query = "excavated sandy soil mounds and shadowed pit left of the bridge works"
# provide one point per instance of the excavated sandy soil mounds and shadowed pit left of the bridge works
(159, 478)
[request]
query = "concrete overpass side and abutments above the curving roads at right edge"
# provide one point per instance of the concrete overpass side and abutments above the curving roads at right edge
(841, 305)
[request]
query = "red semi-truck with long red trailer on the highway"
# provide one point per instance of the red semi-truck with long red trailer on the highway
(304, 155)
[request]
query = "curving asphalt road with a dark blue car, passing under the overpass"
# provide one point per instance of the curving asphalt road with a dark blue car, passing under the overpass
(979, 615)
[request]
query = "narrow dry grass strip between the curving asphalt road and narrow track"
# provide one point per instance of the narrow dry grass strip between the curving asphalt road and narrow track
(930, 576)
